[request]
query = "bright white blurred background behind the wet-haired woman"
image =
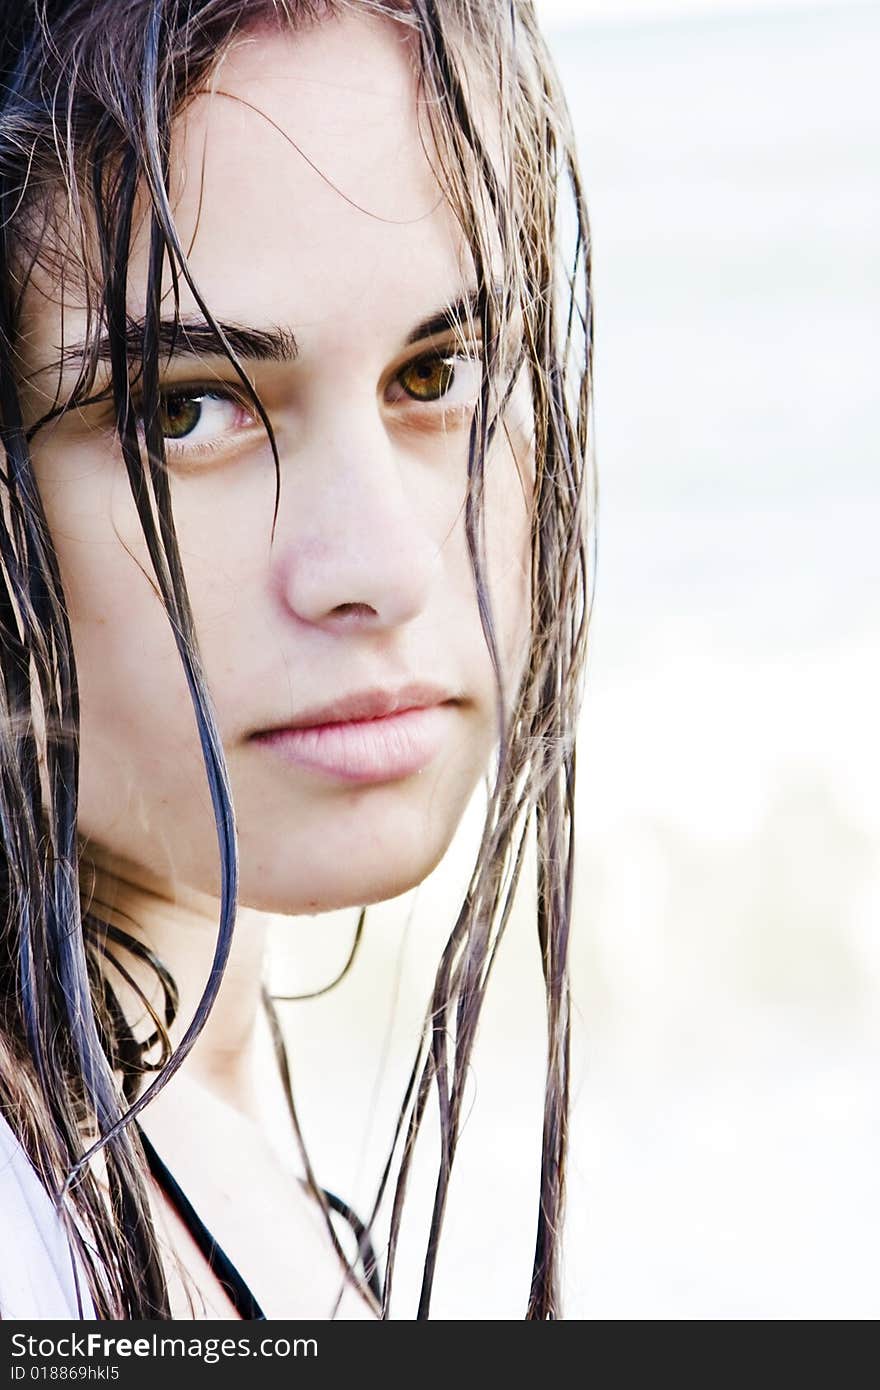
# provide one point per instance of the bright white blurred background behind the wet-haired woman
(726, 1132)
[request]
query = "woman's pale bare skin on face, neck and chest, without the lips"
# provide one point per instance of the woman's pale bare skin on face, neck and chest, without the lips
(368, 584)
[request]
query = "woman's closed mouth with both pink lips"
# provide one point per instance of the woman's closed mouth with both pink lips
(368, 737)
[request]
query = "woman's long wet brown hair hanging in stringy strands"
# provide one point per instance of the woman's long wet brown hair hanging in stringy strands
(90, 91)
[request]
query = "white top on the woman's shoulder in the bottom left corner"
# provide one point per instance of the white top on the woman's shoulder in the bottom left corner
(37, 1263)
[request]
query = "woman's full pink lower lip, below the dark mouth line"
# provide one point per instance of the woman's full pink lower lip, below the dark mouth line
(365, 750)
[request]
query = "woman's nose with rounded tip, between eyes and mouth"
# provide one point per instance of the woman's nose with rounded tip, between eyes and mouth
(352, 547)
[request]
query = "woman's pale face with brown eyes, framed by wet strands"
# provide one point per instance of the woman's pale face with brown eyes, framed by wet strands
(318, 230)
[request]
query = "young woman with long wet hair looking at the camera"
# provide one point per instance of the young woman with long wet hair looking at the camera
(295, 348)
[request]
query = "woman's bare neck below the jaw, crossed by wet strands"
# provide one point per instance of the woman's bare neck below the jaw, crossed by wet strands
(180, 926)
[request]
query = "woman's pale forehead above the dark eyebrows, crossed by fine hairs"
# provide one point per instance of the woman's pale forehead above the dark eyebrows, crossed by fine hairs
(302, 194)
